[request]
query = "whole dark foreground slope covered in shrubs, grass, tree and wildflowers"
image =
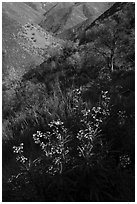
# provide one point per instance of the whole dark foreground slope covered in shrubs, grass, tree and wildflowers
(69, 123)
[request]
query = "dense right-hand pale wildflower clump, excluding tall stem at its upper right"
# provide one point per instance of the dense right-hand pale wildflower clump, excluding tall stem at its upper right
(89, 132)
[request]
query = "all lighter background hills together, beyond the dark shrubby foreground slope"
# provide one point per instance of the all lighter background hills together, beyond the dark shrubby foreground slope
(25, 29)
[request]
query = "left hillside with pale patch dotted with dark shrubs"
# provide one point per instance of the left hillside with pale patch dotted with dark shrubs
(24, 41)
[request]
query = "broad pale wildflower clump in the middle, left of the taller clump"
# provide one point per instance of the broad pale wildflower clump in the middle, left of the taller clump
(54, 144)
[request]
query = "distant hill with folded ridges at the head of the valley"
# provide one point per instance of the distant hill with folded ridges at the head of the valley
(62, 16)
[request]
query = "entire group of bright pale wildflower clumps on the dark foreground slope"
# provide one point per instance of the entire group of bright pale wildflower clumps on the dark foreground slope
(56, 141)
